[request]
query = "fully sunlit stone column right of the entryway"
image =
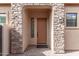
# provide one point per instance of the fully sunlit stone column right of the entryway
(58, 27)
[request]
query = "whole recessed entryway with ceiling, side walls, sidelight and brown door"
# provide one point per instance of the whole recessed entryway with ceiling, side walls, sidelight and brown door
(37, 26)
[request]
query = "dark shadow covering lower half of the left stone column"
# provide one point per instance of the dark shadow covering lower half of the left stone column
(15, 41)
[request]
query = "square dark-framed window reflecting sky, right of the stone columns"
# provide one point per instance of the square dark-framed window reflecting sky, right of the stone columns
(71, 19)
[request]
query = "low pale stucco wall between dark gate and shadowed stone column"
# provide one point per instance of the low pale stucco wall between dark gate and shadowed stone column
(5, 40)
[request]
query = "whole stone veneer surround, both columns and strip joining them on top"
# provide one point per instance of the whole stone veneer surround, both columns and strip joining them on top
(16, 30)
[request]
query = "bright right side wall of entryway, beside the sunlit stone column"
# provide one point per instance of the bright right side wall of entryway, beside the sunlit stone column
(51, 30)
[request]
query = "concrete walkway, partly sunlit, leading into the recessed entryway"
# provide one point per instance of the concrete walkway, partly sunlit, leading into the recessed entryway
(33, 51)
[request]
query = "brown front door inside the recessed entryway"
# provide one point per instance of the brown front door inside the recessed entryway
(41, 30)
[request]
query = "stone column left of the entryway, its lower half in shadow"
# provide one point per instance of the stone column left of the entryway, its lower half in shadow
(16, 28)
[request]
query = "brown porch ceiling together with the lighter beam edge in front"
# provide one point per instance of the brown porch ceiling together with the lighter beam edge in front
(38, 10)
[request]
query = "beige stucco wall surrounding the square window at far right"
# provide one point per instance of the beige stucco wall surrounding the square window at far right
(72, 33)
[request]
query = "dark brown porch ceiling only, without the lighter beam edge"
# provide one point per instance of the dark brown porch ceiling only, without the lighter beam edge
(37, 11)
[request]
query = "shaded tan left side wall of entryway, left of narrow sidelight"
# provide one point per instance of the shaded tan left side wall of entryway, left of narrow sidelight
(26, 29)
